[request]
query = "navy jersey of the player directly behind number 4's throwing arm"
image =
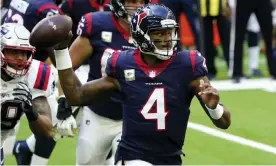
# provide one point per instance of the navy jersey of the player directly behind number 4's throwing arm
(105, 35)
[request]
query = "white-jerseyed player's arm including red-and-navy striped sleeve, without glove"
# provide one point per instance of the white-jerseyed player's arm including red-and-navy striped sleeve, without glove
(41, 79)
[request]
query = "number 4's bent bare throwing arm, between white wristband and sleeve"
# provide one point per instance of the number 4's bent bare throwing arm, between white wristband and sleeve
(92, 92)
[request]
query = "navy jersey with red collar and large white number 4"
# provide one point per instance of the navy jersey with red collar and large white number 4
(156, 104)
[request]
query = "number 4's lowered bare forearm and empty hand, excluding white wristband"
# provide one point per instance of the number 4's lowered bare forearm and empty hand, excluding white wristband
(207, 95)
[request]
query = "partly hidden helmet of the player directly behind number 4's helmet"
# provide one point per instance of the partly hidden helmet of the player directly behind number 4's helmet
(119, 8)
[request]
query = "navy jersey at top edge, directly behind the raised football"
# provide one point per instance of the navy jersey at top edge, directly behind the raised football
(77, 8)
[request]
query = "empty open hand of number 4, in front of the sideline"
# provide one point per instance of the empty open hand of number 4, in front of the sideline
(209, 95)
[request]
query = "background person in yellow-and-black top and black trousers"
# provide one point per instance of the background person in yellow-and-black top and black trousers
(215, 11)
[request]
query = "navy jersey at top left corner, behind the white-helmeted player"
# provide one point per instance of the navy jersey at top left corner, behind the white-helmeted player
(29, 13)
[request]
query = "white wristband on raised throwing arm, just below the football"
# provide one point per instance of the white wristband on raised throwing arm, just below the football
(63, 60)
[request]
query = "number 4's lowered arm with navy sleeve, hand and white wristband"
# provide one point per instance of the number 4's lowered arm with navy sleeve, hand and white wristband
(207, 95)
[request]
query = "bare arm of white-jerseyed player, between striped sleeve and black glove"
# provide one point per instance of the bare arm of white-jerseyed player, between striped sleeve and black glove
(43, 124)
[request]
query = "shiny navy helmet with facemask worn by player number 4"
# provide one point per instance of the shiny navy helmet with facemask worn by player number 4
(150, 18)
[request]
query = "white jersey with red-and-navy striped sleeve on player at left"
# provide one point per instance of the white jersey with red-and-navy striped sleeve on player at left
(40, 80)
